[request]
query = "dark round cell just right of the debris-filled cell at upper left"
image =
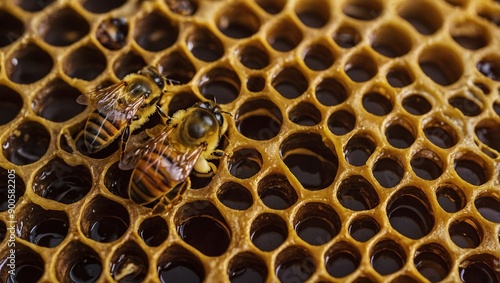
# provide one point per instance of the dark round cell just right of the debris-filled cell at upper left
(155, 32)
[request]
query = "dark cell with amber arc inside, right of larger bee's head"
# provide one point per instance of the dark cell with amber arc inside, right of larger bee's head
(259, 119)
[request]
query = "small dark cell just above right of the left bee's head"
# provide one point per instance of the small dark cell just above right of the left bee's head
(177, 67)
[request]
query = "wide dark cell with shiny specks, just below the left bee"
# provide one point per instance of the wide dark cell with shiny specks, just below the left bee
(62, 182)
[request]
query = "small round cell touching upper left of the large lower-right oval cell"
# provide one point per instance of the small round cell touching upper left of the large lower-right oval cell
(388, 171)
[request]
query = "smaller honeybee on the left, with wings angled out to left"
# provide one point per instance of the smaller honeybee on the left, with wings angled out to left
(122, 108)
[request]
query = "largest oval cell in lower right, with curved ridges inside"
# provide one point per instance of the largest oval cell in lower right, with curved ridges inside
(410, 214)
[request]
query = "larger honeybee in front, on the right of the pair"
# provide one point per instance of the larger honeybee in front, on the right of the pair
(163, 164)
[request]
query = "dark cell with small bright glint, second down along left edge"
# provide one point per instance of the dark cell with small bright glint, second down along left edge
(28, 64)
